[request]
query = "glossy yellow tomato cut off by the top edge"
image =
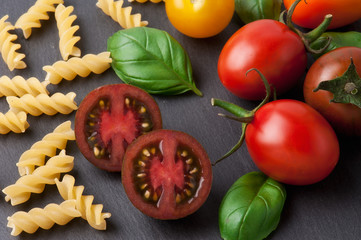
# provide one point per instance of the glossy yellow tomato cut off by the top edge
(199, 18)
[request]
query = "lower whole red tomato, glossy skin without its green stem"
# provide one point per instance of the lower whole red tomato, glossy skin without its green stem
(292, 143)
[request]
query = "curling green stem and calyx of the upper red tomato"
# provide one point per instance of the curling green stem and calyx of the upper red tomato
(313, 35)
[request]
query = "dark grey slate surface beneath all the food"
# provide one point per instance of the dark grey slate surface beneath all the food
(327, 210)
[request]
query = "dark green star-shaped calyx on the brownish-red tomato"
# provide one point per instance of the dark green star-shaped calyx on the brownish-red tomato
(346, 88)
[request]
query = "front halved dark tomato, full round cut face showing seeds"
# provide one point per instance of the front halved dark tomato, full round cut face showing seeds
(166, 174)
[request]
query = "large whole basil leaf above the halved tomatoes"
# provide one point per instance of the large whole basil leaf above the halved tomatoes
(151, 59)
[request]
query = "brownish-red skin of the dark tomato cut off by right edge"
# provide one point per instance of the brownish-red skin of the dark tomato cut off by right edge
(345, 118)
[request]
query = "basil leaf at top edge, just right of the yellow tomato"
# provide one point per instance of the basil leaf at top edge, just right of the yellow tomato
(252, 10)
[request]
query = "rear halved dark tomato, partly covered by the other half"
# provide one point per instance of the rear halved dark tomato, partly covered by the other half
(109, 119)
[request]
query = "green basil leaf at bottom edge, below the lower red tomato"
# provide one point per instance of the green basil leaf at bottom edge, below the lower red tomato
(251, 208)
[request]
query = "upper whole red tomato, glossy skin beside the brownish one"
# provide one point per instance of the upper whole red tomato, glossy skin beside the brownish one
(269, 46)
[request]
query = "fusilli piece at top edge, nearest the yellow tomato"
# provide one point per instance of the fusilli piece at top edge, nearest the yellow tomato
(121, 14)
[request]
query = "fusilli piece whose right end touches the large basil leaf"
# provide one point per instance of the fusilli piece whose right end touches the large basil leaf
(68, 70)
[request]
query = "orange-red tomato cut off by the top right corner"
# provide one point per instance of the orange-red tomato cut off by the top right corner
(310, 15)
